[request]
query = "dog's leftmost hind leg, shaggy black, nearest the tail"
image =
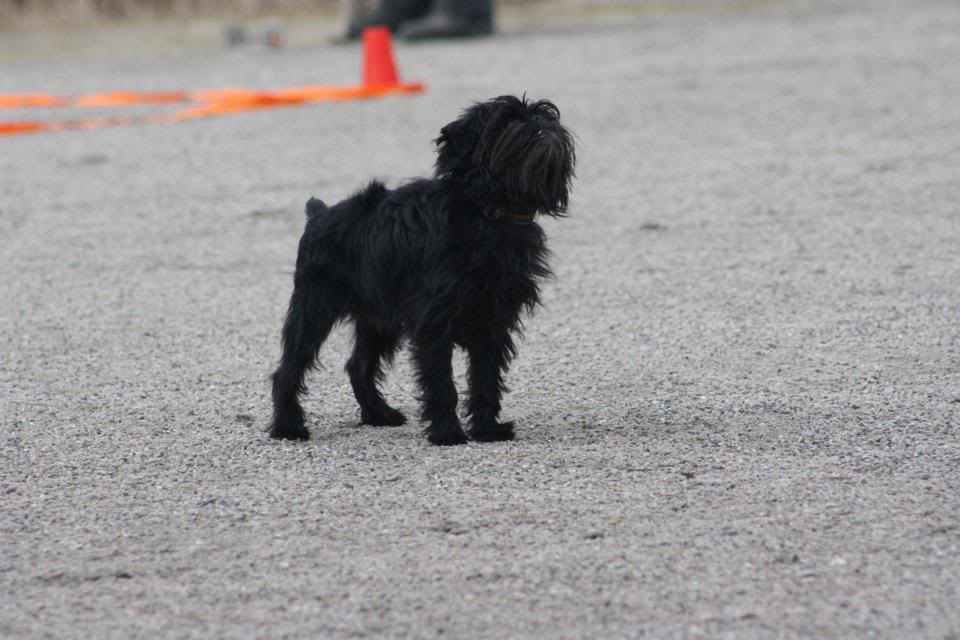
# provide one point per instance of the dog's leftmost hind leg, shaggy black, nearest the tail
(313, 312)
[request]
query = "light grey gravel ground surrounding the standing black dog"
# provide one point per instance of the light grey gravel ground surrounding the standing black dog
(737, 409)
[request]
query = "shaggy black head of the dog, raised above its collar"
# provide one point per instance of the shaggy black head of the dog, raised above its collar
(513, 153)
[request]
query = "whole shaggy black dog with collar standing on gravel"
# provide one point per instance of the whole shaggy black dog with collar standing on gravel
(448, 261)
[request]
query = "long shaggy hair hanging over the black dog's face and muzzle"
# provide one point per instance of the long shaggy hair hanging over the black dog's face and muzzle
(534, 166)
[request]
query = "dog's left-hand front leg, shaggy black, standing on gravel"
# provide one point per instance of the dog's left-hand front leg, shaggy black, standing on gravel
(432, 355)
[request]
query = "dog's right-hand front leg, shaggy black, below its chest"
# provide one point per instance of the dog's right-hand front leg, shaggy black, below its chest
(489, 360)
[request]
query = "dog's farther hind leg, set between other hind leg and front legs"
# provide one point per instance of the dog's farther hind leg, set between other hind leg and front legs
(364, 366)
